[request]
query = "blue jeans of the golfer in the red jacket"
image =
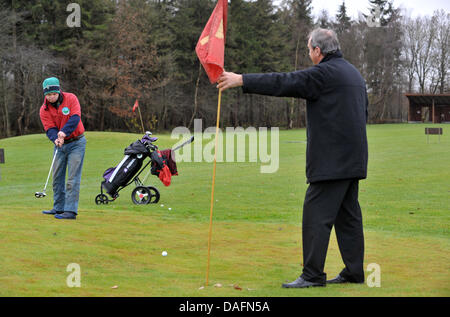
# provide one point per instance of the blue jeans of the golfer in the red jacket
(70, 156)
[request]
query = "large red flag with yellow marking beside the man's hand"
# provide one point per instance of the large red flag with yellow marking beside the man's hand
(210, 48)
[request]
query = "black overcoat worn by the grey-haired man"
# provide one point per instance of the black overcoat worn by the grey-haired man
(336, 102)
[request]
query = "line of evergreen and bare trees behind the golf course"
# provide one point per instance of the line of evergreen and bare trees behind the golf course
(125, 50)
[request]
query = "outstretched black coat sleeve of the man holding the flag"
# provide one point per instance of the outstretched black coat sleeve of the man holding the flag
(306, 84)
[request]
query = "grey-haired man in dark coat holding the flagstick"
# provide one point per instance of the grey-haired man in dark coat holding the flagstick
(336, 153)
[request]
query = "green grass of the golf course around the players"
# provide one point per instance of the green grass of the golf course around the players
(256, 241)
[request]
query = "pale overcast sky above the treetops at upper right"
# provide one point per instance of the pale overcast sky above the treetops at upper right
(414, 7)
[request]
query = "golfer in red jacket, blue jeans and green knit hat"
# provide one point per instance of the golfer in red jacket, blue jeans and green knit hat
(61, 117)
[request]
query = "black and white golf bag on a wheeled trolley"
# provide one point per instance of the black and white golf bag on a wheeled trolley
(130, 168)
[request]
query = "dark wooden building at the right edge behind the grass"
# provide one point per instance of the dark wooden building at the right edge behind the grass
(429, 108)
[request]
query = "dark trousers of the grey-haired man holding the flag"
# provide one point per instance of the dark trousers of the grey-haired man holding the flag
(326, 204)
